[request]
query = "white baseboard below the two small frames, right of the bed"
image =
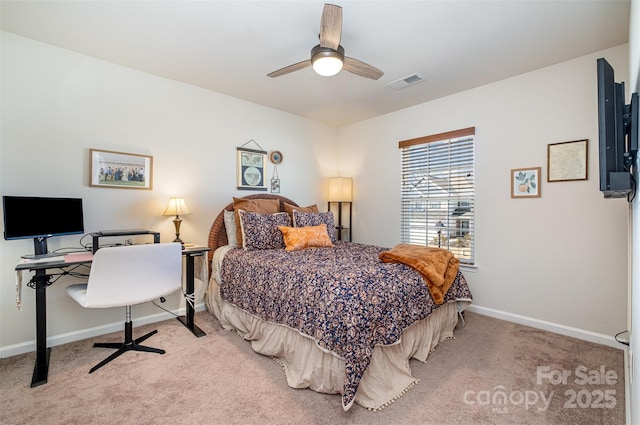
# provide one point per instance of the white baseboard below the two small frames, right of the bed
(607, 340)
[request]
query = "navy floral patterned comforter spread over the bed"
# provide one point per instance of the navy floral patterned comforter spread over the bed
(344, 297)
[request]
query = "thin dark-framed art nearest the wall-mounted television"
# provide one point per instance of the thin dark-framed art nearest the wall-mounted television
(567, 161)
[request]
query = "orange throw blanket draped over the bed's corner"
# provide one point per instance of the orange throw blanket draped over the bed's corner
(437, 266)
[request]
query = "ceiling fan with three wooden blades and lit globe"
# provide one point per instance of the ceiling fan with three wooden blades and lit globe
(327, 58)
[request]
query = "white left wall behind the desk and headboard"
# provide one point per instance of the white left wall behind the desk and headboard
(57, 104)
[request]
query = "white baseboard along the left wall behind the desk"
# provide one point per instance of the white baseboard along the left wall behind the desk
(52, 341)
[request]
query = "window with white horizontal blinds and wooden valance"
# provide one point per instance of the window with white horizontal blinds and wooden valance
(438, 192)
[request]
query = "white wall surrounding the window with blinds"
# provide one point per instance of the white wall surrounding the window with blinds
(560, 259)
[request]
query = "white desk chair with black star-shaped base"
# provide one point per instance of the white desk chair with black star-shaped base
(128, 275)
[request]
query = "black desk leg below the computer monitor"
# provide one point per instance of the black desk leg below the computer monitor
(41, 368)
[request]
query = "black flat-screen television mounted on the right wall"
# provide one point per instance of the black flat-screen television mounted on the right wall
(617, 134)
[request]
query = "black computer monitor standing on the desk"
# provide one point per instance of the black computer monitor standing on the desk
(39, 218)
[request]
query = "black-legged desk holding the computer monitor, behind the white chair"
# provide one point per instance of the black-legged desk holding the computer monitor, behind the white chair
(41, 280)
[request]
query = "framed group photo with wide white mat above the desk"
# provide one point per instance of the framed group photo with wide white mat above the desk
(120, 170)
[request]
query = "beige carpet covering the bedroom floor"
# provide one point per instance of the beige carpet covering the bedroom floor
(487, 375)
